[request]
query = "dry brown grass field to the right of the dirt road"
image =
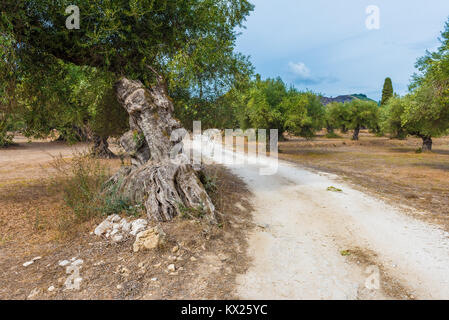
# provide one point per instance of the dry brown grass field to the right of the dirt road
(391, 169)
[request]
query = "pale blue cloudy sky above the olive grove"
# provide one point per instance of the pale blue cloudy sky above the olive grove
(325, 46)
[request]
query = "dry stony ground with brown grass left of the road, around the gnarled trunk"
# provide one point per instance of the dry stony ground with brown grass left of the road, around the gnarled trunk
(30, 215)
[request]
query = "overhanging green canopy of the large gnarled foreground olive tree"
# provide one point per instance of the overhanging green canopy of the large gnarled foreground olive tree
(188, 42)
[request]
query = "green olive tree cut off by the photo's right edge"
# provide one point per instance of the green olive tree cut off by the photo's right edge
(424, 112)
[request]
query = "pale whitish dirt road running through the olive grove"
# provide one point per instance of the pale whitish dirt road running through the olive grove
(313, 243)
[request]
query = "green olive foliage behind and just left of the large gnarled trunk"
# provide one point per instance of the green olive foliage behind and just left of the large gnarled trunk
(77, 101)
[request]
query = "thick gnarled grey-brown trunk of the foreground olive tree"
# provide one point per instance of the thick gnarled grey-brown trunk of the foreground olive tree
(160, 177)
